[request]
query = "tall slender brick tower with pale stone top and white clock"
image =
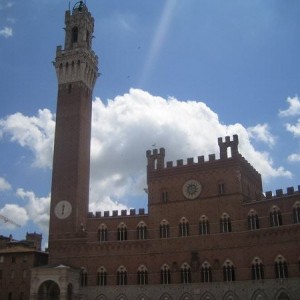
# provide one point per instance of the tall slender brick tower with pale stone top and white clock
(77, 70)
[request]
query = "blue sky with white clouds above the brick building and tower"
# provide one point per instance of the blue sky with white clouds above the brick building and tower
(177, 74)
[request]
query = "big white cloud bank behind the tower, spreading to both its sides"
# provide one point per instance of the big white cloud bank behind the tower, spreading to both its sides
(122, 131)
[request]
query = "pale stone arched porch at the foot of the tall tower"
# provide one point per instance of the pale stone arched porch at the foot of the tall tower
(55, 282)
